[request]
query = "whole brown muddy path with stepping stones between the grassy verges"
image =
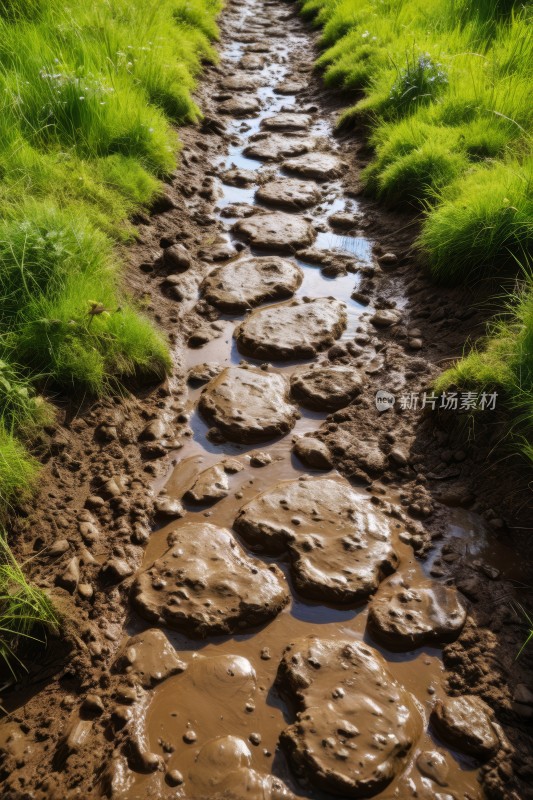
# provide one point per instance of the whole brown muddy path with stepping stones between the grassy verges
(275, 589)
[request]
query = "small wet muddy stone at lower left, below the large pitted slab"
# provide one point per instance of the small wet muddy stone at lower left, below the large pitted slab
(148, 659)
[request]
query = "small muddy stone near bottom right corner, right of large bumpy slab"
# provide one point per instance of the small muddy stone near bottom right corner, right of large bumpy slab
(465, 723)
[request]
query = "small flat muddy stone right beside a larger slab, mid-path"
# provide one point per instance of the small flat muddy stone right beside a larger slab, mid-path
(326, 388)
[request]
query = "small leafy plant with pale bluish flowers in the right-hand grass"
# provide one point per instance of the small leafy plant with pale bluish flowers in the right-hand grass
(418, 84)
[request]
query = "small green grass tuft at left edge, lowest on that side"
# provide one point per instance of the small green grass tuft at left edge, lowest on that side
(26, 612)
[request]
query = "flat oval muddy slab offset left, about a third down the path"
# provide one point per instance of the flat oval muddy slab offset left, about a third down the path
(247, 282)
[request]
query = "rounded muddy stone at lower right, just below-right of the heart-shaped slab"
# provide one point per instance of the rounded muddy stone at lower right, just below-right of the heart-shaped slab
(407, 613)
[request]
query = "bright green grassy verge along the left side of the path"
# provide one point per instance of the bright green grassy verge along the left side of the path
(90, 94)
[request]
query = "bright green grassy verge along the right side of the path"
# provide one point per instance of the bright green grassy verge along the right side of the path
(444, 88)
